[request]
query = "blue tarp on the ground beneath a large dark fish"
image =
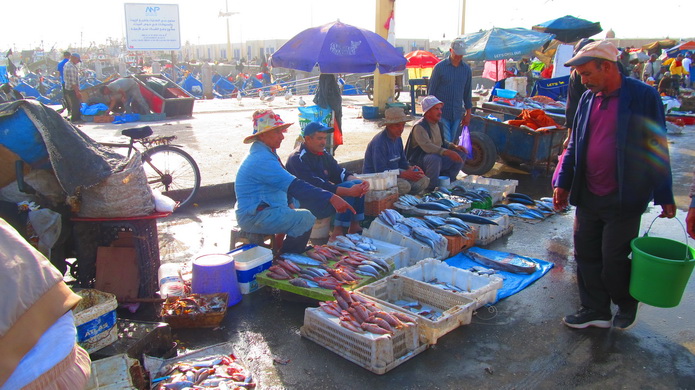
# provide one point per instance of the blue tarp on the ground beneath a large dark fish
(513, 283)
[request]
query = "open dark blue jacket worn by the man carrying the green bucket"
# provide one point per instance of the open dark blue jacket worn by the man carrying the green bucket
(643, 164)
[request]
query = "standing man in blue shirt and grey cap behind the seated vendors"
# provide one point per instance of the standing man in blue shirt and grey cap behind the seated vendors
(451, 83)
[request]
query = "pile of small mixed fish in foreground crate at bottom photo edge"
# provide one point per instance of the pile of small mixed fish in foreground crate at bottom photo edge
(211, 372)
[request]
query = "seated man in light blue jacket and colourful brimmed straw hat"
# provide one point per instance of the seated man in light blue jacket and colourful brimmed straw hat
(263, 188)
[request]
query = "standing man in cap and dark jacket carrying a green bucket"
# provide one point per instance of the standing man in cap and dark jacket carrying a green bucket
(616, 163)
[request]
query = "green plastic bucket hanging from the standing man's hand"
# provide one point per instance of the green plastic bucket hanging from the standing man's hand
(661, 269)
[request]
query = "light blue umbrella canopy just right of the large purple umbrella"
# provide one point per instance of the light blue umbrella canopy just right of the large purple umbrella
(502, 43)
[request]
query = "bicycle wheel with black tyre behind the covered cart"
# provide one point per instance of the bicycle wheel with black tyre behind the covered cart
(173, 172)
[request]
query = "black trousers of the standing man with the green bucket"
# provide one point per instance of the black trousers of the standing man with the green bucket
(602, 235)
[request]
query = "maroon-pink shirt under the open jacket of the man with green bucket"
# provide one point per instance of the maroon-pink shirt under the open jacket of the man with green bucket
(601, 158)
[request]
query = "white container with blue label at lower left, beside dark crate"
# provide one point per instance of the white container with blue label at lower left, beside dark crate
(95, 319)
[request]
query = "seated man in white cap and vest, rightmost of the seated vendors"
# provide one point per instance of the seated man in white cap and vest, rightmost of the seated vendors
(427, 148)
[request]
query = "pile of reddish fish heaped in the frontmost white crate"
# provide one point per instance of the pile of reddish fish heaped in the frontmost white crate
(361, 315)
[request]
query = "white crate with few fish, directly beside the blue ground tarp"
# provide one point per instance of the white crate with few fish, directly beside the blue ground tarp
(482, 288)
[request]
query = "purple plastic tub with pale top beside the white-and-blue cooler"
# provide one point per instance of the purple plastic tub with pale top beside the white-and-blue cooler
(216, 273)
